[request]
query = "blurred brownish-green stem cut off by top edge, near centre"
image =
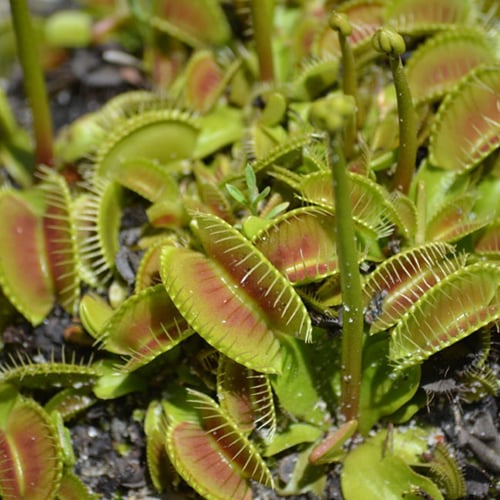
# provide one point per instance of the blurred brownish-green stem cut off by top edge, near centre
(262, 20)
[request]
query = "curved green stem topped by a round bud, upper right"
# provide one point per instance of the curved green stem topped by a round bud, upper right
(386, 40)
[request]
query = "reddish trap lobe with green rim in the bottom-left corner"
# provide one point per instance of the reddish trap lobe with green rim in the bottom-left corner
(30, 455)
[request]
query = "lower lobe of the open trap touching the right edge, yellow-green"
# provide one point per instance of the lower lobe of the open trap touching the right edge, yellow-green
(451, 310)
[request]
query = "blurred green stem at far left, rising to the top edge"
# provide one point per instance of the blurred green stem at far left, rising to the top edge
(34, 82)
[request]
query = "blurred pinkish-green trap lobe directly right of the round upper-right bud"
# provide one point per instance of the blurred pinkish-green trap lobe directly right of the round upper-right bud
(437, 65)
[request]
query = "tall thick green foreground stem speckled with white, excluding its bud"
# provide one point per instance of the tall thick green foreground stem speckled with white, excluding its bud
(350, 284)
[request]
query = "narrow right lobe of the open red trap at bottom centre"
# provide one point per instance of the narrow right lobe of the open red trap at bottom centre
(237, 449)
